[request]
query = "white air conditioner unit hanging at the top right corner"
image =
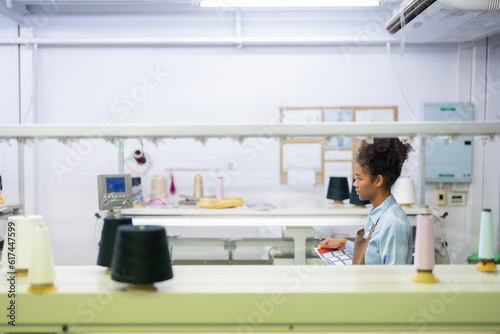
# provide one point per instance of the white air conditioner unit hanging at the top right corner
(423, 21)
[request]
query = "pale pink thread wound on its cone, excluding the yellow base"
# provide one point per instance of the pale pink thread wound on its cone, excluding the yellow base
(424, 244)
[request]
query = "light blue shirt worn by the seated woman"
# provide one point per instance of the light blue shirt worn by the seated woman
(392, 239)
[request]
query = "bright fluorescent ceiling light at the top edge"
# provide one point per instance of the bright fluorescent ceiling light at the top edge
(287, 3)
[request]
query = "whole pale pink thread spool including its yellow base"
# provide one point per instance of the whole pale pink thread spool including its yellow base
(424, 250)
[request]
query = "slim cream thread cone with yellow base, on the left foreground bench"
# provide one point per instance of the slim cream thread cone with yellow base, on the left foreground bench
(41, 272)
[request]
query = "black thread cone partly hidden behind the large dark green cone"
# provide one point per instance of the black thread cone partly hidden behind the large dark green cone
(108, 236)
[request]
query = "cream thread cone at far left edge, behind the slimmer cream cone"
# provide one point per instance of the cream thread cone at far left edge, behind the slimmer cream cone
(24, 230)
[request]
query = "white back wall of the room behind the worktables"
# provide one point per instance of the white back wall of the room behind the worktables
(202, 85)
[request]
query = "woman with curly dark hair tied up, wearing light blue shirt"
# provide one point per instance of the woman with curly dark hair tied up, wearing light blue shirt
(387, 236)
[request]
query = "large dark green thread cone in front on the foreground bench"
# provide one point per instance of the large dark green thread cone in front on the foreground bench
(141, 257)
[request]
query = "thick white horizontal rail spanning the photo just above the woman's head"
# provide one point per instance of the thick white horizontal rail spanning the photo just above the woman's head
(238, 131)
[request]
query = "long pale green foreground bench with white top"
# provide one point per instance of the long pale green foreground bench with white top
(264, 298)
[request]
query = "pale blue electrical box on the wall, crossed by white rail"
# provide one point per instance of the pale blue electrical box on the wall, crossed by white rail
(448, 160)
